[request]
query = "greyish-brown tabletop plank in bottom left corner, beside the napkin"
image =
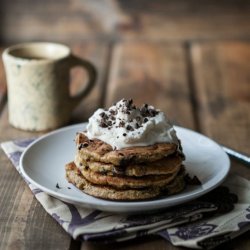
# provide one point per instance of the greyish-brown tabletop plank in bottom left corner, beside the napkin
(24, 223)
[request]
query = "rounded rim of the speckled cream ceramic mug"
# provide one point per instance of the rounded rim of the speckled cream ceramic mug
(27, 45)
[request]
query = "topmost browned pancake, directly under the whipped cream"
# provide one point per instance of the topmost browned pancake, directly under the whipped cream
(97, 150)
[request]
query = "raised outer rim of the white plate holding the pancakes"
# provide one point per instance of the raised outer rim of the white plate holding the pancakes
(128, 205)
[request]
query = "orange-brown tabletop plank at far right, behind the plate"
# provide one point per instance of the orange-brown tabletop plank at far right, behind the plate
(222, 73)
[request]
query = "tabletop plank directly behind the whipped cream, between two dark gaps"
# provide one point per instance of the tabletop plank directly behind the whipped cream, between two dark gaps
(154, 73)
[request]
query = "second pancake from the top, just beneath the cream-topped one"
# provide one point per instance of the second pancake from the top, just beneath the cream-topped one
(163, 166)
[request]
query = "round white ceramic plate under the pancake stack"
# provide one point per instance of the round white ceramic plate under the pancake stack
(43, 165)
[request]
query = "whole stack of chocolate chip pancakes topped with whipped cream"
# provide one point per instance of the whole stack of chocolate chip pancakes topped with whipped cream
(128, 153)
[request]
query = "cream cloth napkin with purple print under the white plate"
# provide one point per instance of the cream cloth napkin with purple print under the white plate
(204, 223)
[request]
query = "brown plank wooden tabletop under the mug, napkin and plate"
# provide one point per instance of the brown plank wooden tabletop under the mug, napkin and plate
(204, 86)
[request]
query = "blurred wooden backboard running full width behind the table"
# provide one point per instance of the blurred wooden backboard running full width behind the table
(112, 19)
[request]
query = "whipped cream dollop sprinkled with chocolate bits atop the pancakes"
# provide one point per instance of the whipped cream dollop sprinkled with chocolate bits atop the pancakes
(125, 125)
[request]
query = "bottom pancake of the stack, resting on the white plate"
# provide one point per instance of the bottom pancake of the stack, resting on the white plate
(74, 176)
